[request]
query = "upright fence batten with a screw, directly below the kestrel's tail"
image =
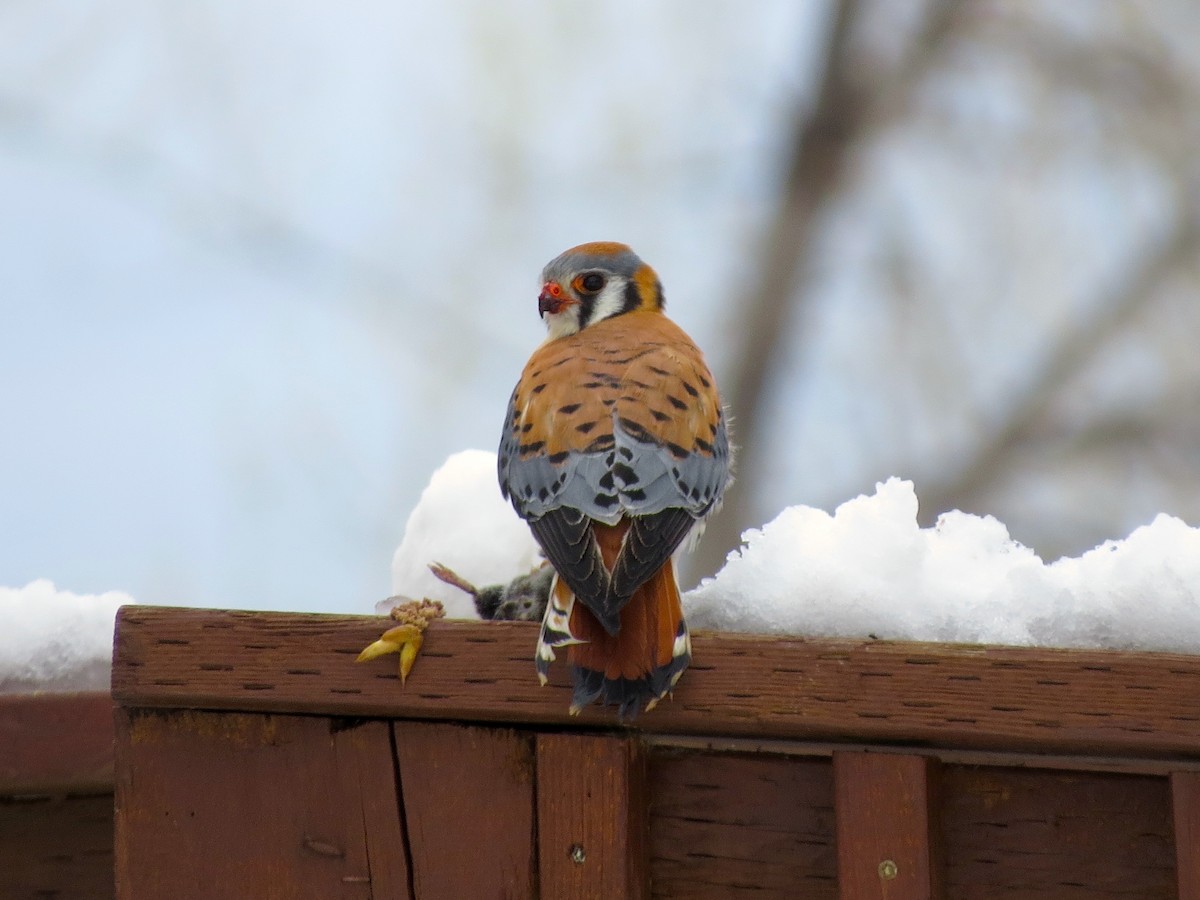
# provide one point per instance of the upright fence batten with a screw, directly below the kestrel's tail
(592, 818)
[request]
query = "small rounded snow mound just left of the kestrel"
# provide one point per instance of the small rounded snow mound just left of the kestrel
(465, 524)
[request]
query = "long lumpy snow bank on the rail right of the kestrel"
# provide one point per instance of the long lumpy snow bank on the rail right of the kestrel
(871, 569)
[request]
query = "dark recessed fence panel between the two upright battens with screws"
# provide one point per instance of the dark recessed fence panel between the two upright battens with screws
(741, 827)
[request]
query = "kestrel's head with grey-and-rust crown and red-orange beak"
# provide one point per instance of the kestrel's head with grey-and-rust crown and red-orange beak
(593, 283)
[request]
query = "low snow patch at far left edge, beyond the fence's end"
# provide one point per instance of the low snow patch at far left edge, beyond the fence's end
(55, 640)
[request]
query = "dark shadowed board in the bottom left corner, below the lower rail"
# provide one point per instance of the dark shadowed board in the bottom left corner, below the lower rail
(57, 848)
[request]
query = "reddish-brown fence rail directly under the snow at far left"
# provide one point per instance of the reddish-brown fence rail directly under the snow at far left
(56, 743)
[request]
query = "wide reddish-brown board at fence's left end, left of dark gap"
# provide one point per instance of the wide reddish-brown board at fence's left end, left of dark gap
(278, 806)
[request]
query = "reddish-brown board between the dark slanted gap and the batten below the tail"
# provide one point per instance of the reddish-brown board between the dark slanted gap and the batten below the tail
(469, 797)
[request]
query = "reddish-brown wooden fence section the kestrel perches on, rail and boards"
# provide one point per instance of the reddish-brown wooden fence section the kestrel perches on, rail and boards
(256, 759)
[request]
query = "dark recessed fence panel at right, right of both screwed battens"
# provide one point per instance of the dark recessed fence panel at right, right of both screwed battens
(1054, 836)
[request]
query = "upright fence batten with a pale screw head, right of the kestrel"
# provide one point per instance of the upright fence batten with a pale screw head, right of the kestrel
(887, 833)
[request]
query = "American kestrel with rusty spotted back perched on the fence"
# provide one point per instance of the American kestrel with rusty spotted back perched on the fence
(615, 448)
